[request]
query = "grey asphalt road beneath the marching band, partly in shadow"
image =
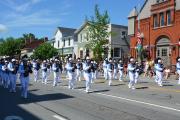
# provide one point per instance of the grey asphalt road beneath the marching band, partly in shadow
(116, 102)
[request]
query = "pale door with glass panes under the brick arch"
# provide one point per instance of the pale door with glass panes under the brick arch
(163, 53)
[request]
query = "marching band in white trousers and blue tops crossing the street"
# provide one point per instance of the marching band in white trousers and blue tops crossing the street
(76, 70)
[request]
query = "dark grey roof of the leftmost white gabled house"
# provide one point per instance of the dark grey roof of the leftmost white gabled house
(66, 31)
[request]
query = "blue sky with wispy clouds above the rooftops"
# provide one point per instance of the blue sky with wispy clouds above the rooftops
(42, 17)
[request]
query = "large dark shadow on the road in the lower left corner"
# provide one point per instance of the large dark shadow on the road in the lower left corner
(9, 103)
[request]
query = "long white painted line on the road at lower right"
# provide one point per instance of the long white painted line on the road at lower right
(141, 102)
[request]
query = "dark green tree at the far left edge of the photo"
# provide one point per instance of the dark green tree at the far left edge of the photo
(11, 47)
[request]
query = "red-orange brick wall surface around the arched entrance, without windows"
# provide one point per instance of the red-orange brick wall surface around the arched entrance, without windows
(152, 34)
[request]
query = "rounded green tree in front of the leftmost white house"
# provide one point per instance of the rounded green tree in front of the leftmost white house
(44, 51)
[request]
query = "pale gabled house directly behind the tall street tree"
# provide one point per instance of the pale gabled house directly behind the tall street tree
(118, 46)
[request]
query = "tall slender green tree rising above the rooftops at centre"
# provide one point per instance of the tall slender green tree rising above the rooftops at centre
(98, 33)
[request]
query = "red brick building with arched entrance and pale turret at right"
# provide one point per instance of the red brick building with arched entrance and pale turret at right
(159, 23)
